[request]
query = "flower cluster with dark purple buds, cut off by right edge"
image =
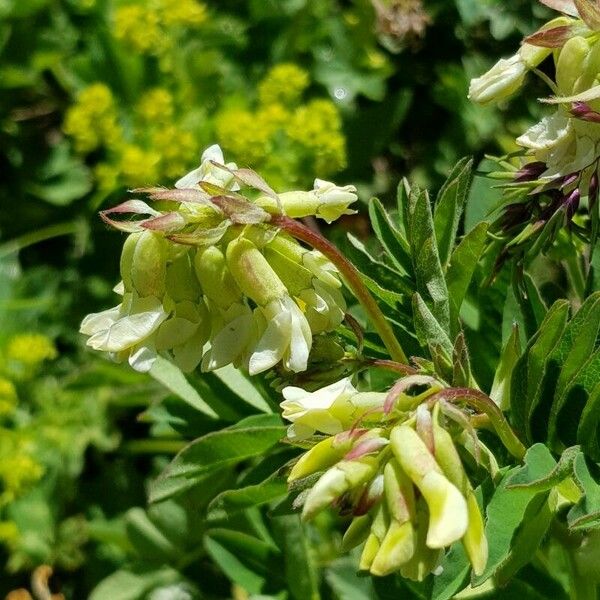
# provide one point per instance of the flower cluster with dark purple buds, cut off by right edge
(558, 170)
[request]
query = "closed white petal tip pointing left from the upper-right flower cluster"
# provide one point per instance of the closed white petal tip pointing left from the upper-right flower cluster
(502, 80)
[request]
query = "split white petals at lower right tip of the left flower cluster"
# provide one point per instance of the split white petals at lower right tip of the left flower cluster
(286, 337)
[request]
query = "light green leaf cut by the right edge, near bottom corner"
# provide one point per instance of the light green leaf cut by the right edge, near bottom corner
(586, 513)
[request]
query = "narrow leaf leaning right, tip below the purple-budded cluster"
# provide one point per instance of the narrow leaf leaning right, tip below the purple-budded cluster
(460, 270)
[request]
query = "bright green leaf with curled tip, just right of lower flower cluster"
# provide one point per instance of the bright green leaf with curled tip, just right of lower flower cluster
(508, 506)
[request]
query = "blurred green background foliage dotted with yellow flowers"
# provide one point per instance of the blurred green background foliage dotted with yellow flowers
(101, 95)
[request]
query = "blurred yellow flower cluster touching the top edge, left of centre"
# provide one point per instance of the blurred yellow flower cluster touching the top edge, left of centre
(144, 27)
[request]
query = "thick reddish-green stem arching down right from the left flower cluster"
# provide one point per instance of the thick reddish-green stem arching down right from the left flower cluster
(352, 279)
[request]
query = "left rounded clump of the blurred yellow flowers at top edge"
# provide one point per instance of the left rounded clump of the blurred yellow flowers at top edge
(139, 27)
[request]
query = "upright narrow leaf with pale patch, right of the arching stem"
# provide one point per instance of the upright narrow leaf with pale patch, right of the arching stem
(431, 283)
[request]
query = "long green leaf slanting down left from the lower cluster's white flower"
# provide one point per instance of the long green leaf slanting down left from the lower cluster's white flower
(217, 451)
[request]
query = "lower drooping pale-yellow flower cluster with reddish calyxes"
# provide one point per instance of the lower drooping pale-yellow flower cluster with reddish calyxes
(391, 464)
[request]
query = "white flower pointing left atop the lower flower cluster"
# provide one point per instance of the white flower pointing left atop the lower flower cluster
(330, 410)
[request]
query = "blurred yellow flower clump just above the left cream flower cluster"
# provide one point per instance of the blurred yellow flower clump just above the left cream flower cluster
(281, 137)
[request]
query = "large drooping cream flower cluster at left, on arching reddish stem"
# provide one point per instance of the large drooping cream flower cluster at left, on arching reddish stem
(214, 271)
